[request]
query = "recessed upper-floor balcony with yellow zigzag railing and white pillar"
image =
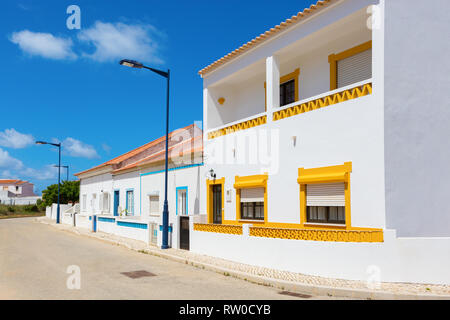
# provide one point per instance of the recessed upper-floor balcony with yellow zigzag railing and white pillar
(319, 70)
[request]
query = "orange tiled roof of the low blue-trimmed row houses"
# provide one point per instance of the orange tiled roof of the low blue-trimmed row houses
(128, 159)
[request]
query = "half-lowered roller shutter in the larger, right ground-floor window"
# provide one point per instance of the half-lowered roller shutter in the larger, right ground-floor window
(325, 195)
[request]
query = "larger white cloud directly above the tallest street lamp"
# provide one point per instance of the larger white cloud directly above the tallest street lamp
(115, 41)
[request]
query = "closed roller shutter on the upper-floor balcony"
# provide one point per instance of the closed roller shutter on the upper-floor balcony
(354, 69)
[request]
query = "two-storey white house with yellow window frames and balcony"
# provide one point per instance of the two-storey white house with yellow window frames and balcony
(325, 139)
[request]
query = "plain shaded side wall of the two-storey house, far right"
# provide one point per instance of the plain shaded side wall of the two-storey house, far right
(417, 117)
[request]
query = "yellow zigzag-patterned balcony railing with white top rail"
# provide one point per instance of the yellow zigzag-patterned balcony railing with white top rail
(325, 100)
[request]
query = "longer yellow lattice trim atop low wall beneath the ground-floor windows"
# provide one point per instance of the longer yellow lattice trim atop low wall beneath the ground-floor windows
(319, 235)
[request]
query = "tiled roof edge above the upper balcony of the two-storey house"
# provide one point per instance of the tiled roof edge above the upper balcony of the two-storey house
(267, 35)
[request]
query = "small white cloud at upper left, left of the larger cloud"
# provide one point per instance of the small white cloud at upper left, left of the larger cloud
(43, 44)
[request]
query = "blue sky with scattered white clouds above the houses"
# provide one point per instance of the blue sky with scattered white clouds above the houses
(66, 85)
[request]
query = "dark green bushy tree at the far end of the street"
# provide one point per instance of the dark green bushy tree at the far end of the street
(70, 192)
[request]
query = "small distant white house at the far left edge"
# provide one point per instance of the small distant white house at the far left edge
(17, 192)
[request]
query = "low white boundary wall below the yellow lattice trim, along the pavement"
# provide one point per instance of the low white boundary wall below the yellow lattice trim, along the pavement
(415, 260)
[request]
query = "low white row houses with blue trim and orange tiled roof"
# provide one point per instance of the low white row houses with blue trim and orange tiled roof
(125, 195)
